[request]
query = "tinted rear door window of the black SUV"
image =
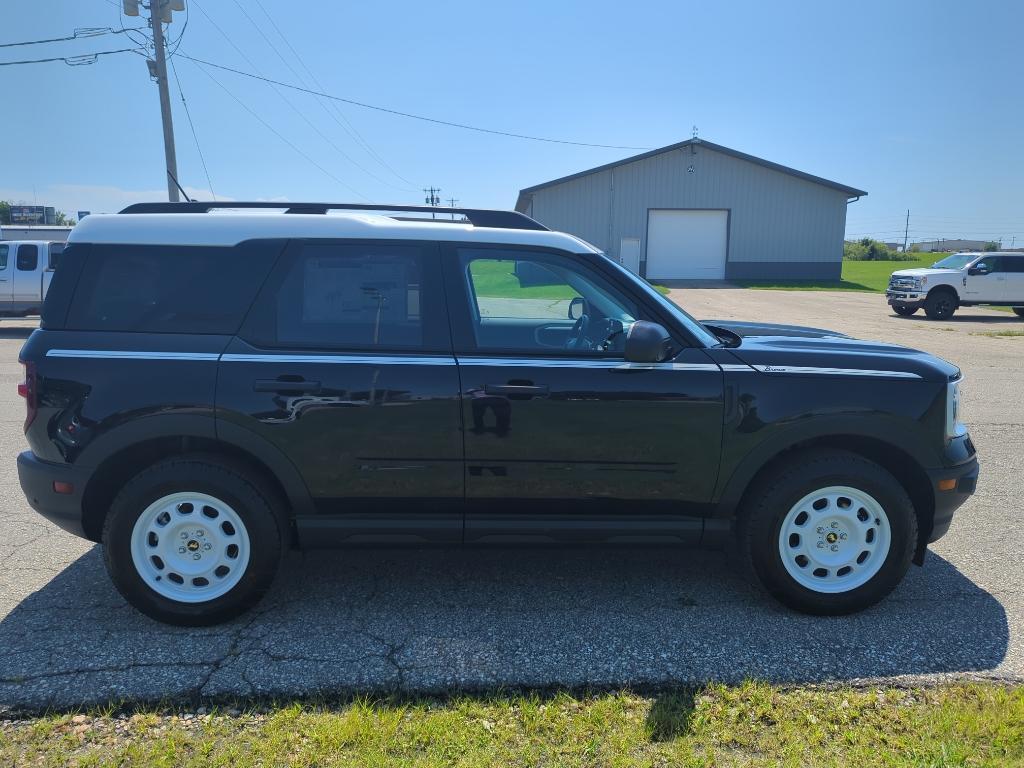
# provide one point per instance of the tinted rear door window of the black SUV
(354, 296)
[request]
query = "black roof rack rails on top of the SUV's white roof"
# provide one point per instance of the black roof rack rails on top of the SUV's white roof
(477, 217)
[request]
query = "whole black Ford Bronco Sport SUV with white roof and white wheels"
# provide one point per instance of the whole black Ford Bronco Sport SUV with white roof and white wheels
(209, 388)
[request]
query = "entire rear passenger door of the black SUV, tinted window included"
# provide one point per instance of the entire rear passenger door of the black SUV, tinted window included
(346, 365)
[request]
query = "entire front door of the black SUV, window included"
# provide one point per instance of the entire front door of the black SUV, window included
(575, 444)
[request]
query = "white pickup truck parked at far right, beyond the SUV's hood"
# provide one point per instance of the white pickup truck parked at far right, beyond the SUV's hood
(960, 280)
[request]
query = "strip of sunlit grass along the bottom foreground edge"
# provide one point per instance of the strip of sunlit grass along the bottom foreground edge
(750, 726)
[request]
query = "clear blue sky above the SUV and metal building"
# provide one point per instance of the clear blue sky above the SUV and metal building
(920, 103)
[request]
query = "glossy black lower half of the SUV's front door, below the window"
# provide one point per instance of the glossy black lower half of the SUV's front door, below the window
(592, 435)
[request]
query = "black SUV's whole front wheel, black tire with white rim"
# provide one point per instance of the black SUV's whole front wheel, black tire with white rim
(828, 533)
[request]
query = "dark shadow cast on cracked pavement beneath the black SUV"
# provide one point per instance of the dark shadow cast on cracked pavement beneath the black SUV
(437, 621)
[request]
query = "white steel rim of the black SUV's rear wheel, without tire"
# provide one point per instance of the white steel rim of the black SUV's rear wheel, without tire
(190, 547)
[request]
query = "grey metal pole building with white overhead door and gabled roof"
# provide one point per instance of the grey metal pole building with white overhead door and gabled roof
(701, 211)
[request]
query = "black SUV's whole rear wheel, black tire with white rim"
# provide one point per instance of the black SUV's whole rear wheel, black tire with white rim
(193, 541)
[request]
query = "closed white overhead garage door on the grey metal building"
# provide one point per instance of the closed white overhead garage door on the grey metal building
(688, 245)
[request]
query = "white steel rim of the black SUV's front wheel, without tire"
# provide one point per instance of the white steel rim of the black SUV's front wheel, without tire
(835, 540)
